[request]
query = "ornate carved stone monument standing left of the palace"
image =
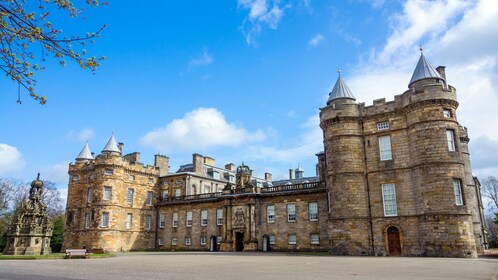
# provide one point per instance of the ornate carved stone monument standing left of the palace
(30, 230)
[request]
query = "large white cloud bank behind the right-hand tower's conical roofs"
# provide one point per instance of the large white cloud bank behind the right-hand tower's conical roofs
(459, 34)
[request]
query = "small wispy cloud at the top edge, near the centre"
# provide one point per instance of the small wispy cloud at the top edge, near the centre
(261, 14)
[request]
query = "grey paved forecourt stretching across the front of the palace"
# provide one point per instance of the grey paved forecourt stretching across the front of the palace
(242, 266)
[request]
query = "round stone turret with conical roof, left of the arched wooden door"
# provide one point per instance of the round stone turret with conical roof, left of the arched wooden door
(344, 174)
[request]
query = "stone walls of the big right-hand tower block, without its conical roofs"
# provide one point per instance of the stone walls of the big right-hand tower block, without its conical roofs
(423, 163)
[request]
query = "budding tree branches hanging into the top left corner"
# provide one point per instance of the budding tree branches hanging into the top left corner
(26, 32)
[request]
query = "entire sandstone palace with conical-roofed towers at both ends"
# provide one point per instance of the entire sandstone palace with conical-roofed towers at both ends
(394, 178)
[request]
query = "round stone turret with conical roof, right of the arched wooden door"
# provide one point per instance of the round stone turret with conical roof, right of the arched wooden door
(440, 167)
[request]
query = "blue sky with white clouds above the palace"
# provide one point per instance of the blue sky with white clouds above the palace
(244, 80)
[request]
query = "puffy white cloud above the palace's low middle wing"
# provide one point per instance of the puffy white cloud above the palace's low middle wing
(200, 129)
